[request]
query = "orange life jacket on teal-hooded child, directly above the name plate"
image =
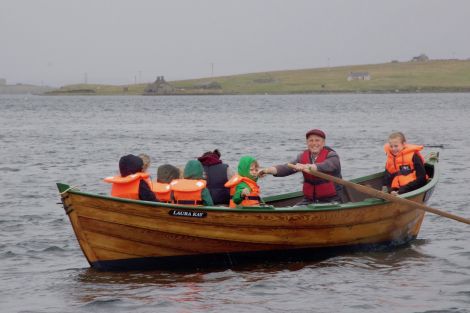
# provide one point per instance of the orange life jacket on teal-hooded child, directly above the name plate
(188, 191)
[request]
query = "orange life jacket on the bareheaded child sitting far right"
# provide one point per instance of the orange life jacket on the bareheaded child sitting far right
(402, 164)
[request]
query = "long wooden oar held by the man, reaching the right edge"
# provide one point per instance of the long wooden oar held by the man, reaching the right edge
(383, 195)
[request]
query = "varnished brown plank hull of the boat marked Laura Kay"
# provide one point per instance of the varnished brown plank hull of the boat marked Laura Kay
(111, 230)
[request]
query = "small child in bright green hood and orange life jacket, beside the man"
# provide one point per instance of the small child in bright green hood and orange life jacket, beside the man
(243, 187)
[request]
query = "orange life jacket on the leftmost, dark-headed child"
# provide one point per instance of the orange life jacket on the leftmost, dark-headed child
(127, 187)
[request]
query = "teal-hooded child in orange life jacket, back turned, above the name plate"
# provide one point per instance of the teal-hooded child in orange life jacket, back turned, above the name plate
(191, 190)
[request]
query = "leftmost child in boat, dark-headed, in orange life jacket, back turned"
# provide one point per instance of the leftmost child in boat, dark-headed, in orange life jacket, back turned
(133, 183)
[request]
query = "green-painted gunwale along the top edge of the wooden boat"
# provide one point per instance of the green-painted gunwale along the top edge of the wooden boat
(63, 188)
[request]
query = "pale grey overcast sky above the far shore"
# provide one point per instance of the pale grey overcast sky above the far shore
(58, 42)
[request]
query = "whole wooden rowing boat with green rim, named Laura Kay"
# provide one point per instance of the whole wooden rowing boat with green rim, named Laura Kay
(116, 233)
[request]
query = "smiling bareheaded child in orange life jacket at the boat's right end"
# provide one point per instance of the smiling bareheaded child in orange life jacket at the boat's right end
(404, 168)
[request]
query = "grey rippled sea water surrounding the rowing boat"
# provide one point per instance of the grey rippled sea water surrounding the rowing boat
(78, 140)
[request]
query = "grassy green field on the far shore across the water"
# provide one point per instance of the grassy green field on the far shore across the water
(430, 76)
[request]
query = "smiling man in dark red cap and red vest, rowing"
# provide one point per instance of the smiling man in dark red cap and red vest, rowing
(317, 157)
